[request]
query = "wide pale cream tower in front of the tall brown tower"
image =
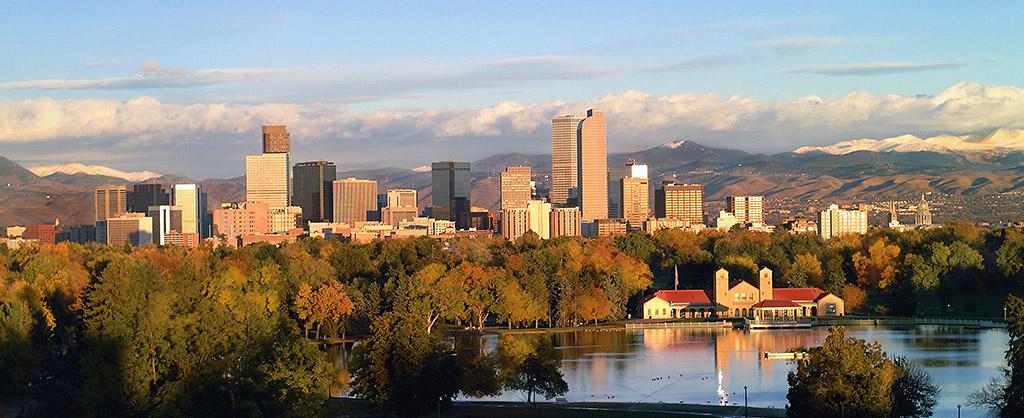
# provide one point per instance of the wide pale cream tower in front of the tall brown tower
(268, 180)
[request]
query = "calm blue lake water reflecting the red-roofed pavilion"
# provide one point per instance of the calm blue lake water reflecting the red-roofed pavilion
(704, 366)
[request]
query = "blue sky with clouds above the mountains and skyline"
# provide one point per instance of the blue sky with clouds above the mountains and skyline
(183, 88)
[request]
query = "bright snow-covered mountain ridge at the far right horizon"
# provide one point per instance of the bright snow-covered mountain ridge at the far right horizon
(1000, 141)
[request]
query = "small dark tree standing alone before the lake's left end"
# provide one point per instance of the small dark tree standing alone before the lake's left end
(539, 374)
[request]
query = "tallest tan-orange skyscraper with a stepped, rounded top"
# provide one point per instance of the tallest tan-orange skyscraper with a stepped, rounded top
(593, 166)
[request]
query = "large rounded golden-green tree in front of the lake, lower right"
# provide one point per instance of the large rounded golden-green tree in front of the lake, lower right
(843, 378)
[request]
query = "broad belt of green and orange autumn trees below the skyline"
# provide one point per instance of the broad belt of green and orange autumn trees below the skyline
(165, 331)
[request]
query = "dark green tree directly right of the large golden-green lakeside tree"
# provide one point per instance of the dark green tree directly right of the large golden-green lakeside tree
(914, 393)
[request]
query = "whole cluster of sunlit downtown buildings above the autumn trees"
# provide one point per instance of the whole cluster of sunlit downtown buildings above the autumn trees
(284, 202)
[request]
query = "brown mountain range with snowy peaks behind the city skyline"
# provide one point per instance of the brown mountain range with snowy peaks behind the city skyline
(849, 172)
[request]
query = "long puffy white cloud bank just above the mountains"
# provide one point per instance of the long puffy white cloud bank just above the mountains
(636, 119)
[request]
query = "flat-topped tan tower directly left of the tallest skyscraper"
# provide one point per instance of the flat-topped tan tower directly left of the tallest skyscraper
(565, 158)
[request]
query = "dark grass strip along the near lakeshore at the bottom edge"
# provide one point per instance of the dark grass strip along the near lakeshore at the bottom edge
(582, 410)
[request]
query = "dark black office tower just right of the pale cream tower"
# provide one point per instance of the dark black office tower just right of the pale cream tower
(313, 183)
